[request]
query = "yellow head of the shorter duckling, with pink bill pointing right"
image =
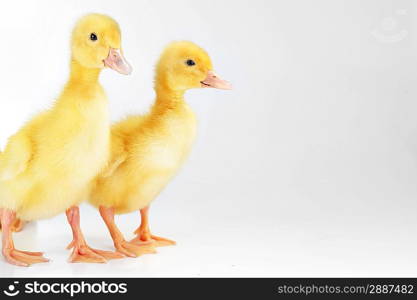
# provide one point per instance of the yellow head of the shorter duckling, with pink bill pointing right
(184, 65)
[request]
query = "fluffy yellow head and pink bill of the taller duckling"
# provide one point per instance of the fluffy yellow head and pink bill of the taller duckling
(96, 43)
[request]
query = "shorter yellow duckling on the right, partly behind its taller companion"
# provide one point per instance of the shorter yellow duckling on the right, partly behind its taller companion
(147, 151)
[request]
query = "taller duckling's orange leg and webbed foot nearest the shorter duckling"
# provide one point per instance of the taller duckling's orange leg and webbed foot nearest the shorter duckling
(82, 252)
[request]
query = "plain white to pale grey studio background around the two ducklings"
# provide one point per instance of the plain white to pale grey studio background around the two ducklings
(307, 168)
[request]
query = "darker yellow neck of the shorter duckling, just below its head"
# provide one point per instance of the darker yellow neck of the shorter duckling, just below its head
(168, 99)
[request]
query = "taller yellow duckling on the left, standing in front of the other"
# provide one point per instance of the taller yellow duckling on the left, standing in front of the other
(49, 164)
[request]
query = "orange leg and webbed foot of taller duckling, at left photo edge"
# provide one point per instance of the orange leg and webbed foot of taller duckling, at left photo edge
(13, 256)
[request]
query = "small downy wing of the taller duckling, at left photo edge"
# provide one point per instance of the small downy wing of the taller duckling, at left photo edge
(16, 156)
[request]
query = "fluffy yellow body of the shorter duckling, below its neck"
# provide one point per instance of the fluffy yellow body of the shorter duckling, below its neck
(155, 146)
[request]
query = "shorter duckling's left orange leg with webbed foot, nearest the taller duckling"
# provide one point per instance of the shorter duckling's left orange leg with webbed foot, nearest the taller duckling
(121, 245)
